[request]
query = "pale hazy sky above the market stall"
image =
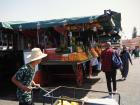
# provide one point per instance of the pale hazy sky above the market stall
(34, 10)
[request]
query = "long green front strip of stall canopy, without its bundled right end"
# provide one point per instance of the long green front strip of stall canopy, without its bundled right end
(54, 22)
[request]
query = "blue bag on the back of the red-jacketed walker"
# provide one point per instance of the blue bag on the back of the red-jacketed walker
(116, 61)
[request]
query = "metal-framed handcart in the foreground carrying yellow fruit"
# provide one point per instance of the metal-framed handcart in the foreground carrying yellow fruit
(63, 95)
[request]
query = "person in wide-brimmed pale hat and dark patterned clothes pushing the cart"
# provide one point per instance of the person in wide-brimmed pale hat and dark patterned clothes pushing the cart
(23, 78)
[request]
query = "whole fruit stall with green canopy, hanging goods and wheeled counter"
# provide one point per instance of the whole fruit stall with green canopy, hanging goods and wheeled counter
(75, 41)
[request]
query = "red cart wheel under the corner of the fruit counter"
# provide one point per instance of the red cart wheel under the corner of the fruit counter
(79, 76)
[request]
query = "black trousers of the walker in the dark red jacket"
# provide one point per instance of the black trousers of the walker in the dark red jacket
(111, 78)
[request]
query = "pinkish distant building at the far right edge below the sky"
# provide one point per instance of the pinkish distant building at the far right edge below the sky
(131, 43)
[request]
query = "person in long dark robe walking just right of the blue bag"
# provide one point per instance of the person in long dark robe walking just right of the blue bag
(125, 57)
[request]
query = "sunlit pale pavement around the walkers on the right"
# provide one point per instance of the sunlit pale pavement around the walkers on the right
(128, 89)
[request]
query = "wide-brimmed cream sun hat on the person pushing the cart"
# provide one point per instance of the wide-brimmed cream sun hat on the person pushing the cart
(36, 54)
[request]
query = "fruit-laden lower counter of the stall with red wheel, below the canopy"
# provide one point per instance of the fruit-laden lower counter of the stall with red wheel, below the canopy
(72, 66)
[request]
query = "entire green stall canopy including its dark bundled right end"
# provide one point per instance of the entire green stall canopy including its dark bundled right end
(109, 20)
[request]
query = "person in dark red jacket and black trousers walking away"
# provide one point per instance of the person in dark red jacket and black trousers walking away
(110, 72)
